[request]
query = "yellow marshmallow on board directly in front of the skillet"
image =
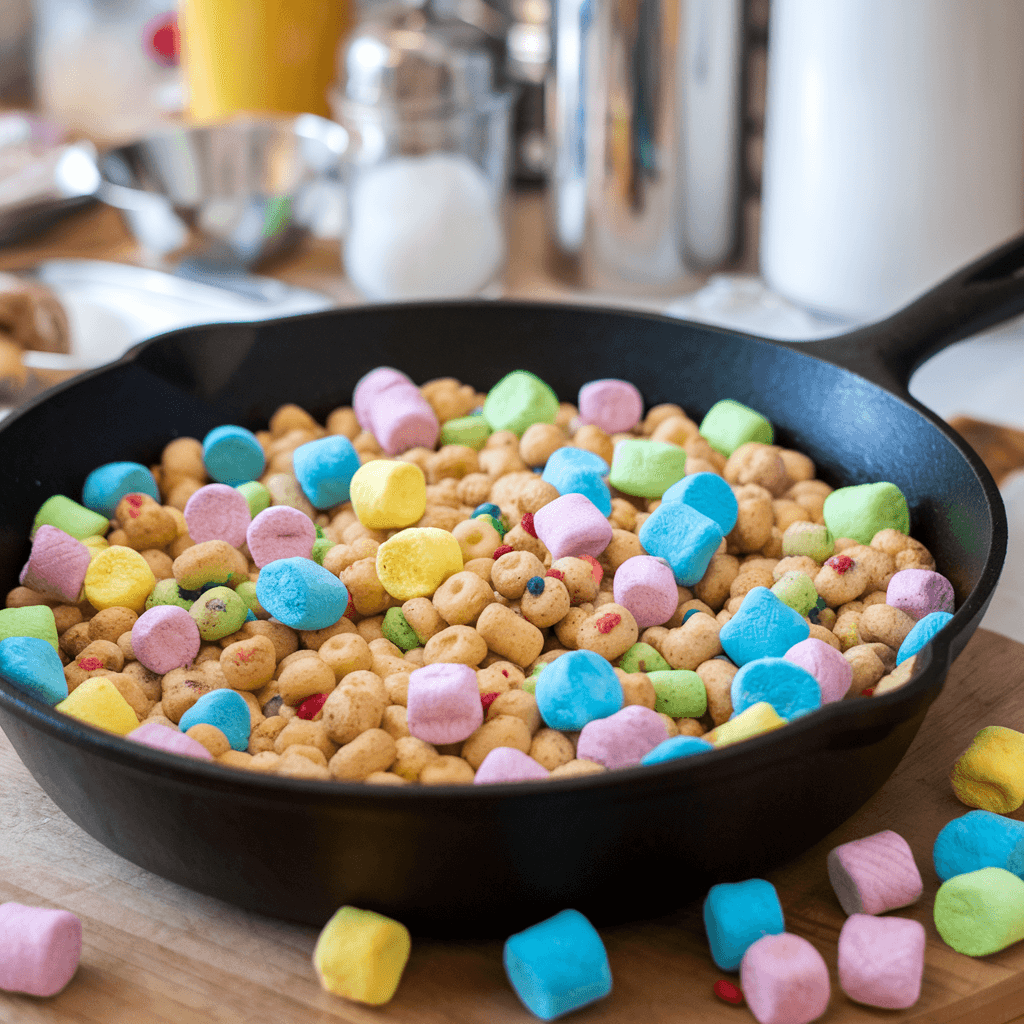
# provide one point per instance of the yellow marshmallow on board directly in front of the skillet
(362, 955)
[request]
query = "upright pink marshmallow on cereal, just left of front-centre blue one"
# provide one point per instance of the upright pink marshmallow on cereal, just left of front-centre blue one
(444, 704)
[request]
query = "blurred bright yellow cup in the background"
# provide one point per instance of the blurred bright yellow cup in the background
(260, 56)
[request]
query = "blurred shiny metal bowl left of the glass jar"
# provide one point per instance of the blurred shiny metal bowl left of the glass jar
(219, 200)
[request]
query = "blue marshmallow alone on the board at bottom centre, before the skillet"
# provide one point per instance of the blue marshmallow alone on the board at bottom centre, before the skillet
(559, 966)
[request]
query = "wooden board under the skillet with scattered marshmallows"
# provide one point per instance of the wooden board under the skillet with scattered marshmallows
(158, 954)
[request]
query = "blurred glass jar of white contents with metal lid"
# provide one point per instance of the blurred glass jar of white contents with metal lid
(428, 112)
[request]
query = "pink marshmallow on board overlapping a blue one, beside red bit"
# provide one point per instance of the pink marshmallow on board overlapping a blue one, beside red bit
(785, 980)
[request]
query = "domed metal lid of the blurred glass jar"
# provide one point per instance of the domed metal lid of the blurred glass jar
(411, 58)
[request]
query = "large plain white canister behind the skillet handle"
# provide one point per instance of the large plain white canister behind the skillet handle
(894, 146)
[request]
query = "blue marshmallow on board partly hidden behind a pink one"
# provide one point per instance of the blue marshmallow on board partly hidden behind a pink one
(737, 915)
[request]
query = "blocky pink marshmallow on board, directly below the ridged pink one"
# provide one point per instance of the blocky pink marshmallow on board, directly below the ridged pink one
(882, 961)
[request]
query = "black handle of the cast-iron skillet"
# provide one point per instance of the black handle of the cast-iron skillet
(887, 353)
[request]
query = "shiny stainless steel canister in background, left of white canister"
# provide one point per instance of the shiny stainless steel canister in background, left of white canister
(646, 126)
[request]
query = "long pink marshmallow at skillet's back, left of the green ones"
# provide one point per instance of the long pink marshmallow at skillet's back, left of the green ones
(389, 405)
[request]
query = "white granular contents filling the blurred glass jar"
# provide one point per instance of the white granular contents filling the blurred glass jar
(423, 228)
